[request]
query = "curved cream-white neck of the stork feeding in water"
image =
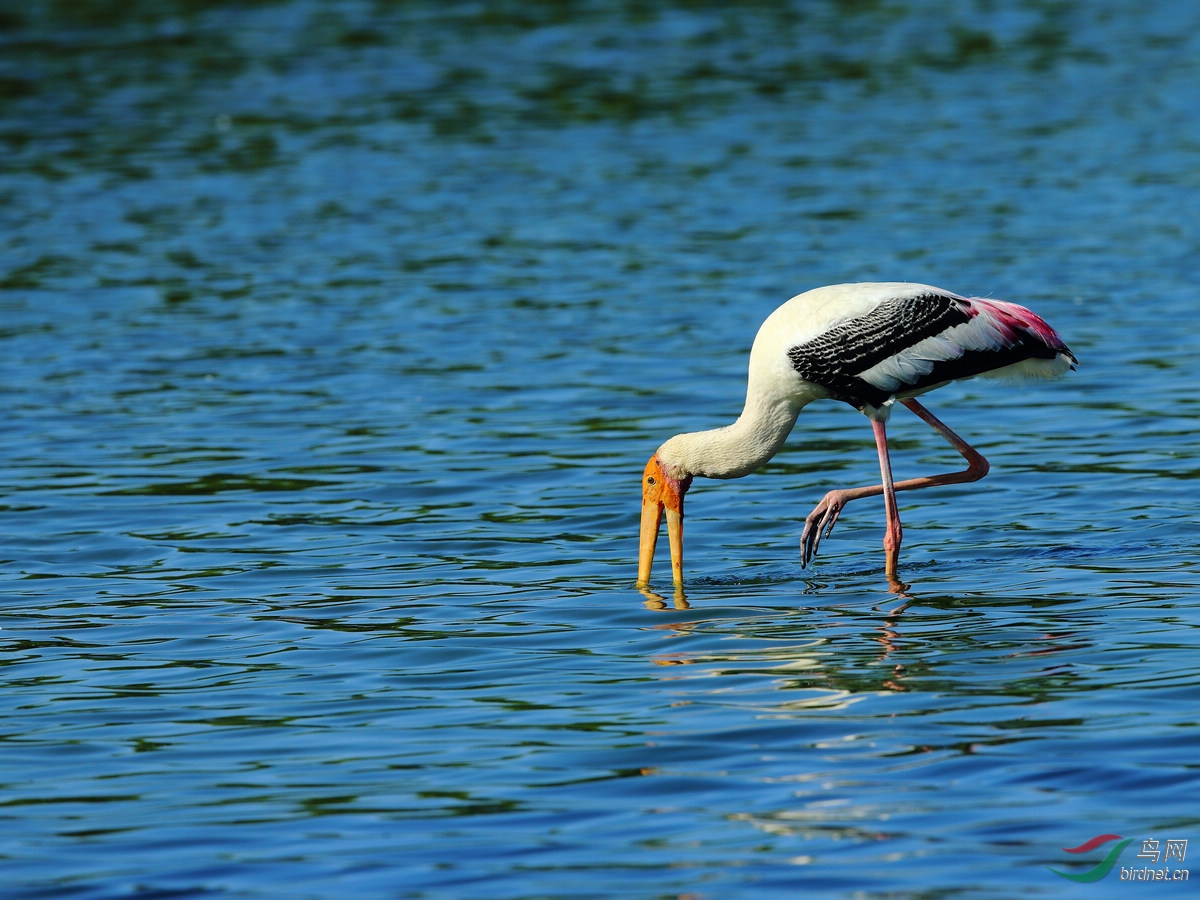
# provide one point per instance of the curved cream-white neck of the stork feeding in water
(737, 449)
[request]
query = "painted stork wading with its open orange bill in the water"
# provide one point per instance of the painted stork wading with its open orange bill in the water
(867, 345)
